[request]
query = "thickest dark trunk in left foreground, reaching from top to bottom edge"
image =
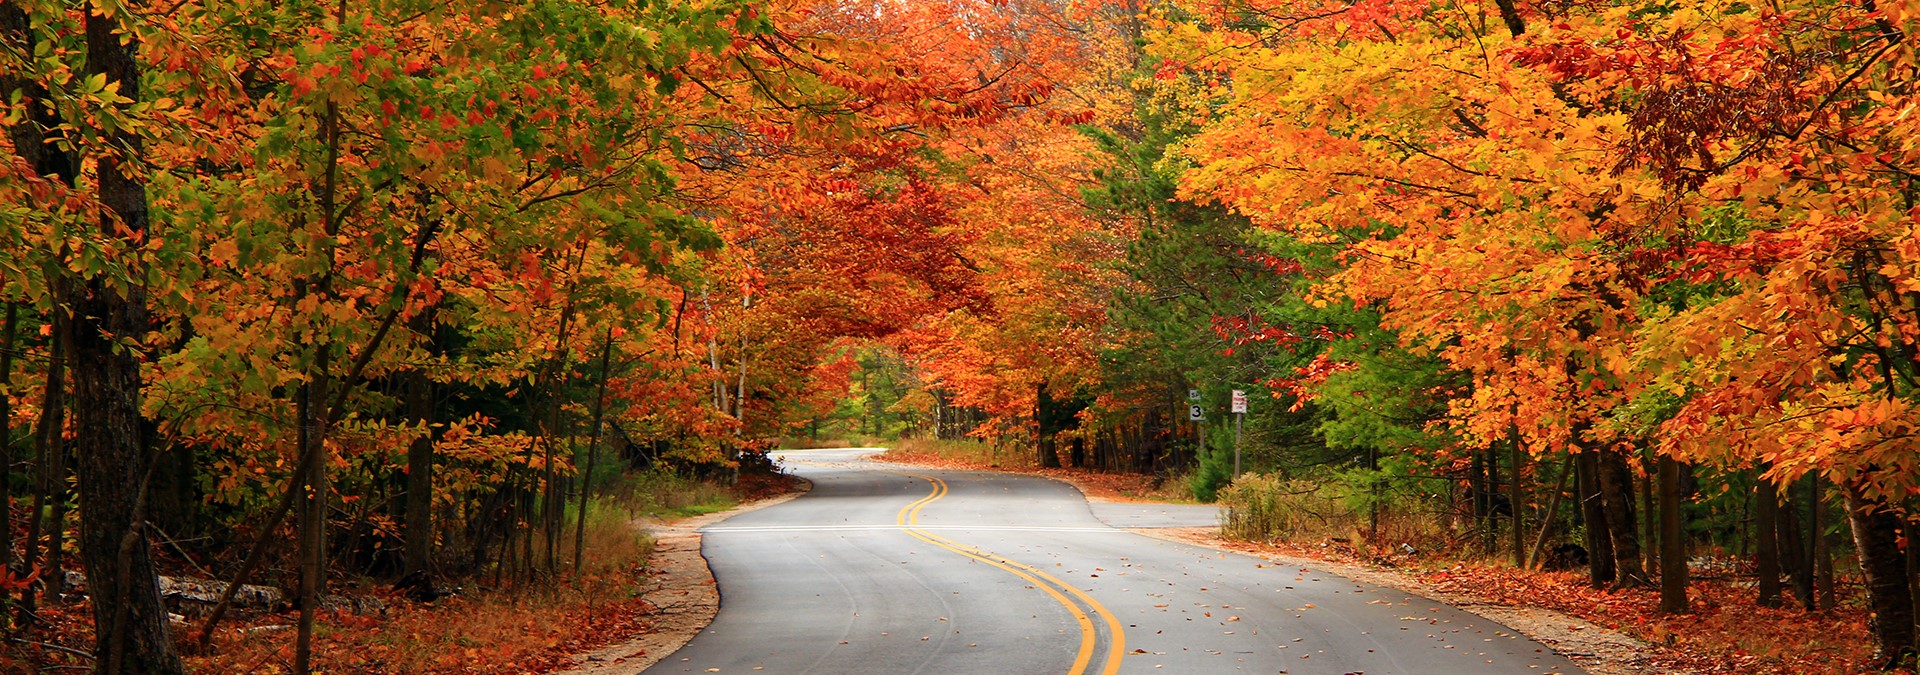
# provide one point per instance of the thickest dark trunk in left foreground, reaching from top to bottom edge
(107, 392)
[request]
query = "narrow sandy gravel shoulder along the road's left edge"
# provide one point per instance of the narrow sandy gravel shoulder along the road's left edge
(684, 584)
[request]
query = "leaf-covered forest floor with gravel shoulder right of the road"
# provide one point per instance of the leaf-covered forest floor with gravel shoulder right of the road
(1606, 632)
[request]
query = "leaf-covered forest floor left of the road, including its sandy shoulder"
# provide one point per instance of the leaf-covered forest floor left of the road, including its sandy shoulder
(629, 613)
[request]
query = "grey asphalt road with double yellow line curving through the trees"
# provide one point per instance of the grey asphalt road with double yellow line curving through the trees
(900, 570)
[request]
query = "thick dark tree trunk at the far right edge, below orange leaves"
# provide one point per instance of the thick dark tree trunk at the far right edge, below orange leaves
(1877, 530)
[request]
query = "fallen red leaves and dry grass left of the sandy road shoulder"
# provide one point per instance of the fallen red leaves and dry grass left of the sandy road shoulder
(531, 626)
